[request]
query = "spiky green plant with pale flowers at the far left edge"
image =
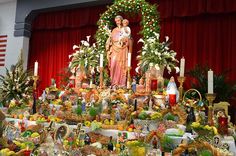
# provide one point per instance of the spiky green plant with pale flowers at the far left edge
(16, 84)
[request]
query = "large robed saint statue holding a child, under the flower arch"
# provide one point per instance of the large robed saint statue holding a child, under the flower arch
(117, 47)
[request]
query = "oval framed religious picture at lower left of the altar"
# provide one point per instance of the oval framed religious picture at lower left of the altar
(62, 132)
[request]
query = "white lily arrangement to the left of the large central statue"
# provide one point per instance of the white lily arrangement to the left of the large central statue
(85, 55)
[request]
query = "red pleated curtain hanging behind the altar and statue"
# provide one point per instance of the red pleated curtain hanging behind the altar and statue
(203, 31)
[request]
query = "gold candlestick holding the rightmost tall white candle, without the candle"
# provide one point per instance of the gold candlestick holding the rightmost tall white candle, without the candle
(210, 98)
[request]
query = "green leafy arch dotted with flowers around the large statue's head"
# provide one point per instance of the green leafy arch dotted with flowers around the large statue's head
(149, 23)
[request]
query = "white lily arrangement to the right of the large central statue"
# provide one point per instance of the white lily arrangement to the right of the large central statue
(157, 54)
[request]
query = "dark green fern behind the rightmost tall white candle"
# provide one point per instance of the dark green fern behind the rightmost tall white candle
(222, 87)
